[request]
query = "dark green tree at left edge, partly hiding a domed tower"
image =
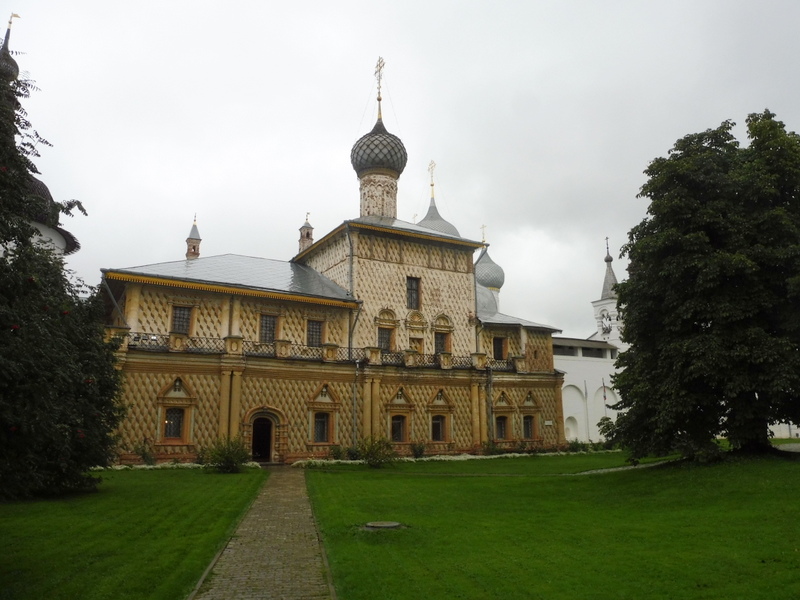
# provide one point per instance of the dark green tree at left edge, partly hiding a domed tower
(58, 383)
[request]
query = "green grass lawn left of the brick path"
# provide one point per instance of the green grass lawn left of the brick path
(144, 534)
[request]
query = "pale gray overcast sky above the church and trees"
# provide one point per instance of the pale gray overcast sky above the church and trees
(540, 116)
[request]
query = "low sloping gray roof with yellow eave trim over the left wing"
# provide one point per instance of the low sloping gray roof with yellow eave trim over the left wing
(245, 275)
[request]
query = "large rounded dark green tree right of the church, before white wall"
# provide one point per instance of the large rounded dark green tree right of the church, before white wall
(710, 305)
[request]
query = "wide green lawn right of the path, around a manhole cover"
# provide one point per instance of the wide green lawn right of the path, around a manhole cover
(514, 528)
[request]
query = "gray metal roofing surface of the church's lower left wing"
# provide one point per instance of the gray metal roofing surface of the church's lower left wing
(245, 272)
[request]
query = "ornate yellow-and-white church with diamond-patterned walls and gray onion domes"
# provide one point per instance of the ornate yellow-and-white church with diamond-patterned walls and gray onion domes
(379, 328)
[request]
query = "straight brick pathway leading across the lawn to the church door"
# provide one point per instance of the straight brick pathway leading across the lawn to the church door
(275, 552)
